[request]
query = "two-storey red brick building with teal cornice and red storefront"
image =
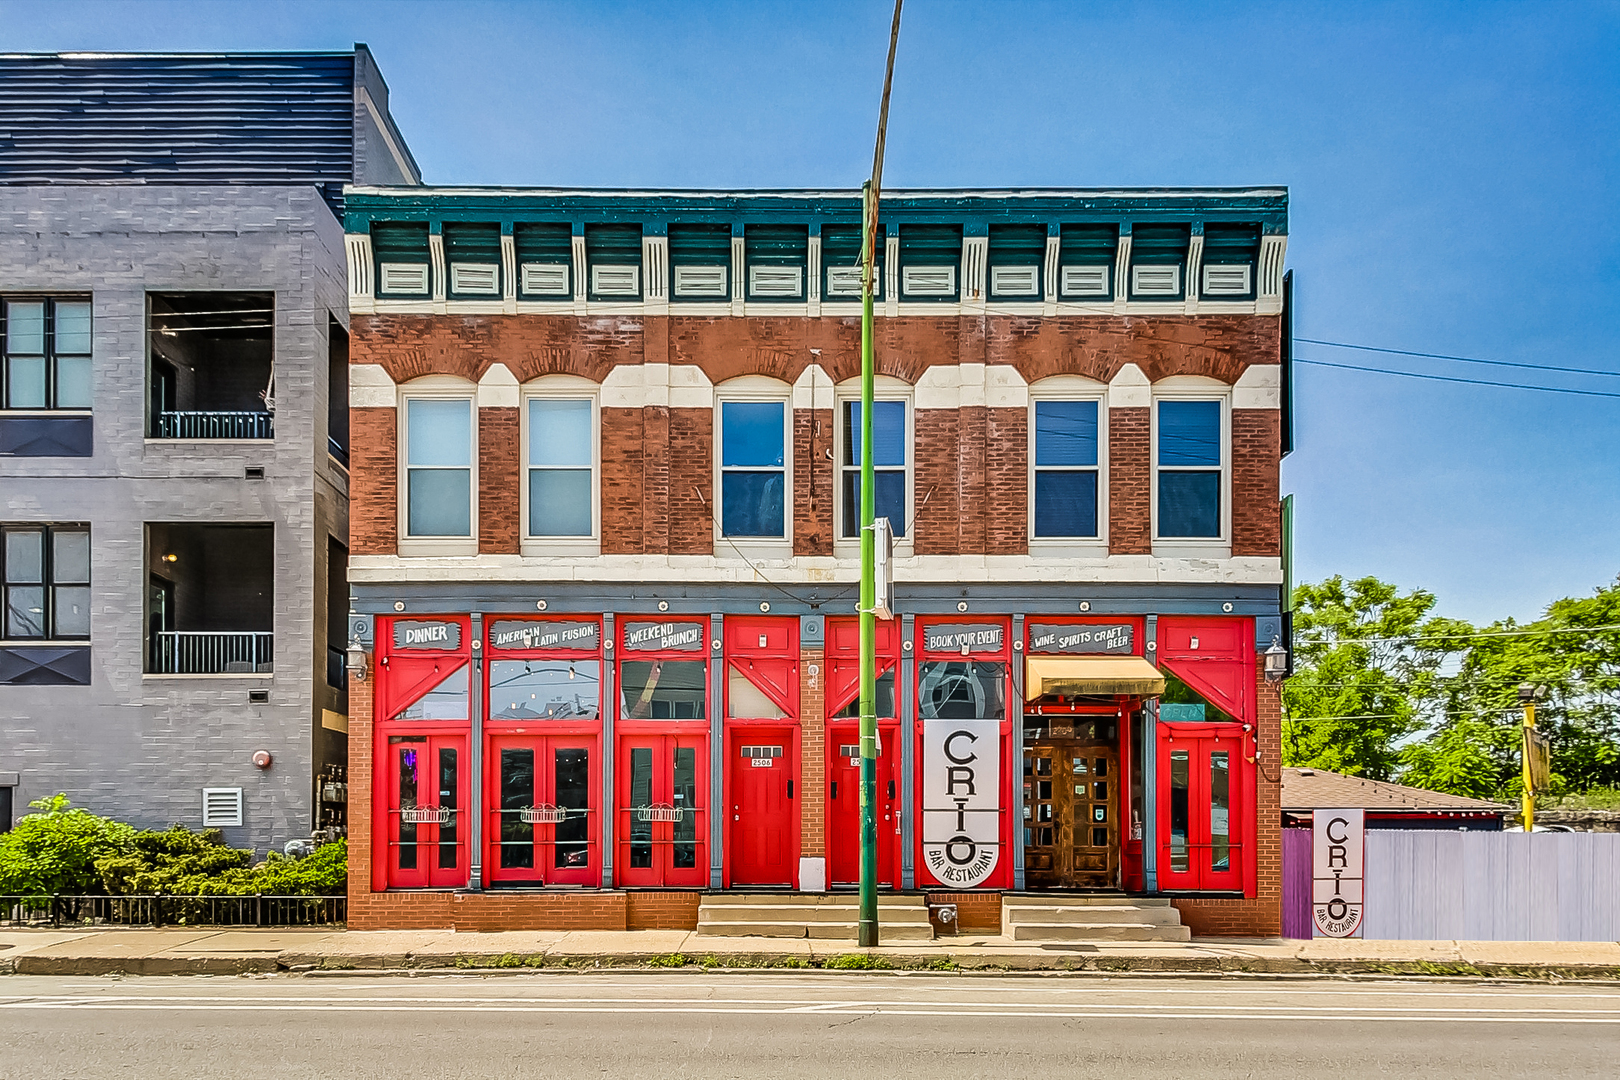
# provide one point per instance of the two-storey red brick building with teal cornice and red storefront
(605, 550)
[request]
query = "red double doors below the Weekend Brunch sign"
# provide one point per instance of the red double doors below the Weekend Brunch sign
(663, 822)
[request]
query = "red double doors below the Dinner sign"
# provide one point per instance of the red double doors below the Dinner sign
(427, 780)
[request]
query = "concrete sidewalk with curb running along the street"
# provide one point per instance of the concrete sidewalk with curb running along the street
(309, 951)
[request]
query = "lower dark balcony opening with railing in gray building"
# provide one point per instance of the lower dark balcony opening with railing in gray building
(211, 598)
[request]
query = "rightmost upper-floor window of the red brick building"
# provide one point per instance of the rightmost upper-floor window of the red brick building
(1190, 462)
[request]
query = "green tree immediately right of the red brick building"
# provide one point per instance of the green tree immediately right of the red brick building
(1366, 666)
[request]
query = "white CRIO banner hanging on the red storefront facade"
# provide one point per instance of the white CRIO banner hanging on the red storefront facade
(961, 801)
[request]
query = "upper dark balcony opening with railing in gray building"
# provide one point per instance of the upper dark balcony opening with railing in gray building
(211, 365)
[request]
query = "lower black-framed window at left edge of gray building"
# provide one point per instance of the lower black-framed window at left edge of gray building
(46, 571)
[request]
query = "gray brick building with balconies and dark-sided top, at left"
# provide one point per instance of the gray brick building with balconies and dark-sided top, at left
(174, 436)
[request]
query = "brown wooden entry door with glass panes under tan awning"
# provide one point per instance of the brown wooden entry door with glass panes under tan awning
(1072, 830)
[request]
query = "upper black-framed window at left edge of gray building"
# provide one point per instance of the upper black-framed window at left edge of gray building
(48, 355)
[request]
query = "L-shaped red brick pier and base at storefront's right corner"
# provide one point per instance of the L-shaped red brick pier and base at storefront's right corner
(1261, 917)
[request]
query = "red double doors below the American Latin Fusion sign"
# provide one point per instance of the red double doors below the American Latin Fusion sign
(542, 825)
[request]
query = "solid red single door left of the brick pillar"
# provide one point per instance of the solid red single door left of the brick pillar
(764, 768)
